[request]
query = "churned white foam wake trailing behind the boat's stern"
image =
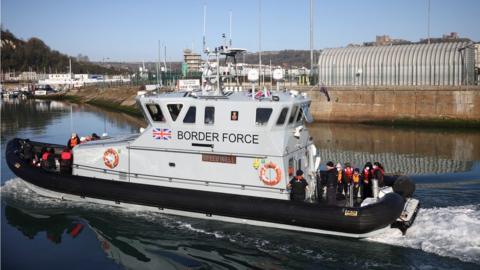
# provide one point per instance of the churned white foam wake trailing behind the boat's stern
(446, 231)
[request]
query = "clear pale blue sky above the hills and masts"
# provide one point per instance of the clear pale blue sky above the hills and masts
(128, 30)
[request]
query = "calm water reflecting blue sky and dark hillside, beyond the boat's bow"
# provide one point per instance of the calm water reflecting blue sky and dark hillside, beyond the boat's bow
(40, 117)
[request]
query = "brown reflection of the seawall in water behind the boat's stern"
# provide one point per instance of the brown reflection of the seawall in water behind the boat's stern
(408, 151)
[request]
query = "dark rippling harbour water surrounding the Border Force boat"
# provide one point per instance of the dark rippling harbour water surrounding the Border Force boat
(42, 232)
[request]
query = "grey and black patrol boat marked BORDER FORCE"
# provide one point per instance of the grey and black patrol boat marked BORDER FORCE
(221, 155)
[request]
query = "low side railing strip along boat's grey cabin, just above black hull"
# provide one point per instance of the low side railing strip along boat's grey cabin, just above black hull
(123, 175)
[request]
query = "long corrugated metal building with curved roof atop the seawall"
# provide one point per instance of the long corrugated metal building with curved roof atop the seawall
(449, 63)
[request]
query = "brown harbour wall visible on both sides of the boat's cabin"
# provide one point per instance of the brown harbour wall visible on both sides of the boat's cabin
(425, 105)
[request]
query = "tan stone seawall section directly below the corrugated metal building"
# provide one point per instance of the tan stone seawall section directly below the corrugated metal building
(350, 104)
